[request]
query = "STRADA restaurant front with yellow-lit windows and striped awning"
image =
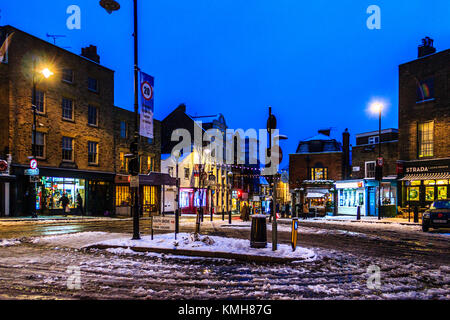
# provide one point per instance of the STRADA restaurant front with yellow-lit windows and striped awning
(423, 182)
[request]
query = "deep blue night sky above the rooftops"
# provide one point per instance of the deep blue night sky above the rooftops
(315, 62)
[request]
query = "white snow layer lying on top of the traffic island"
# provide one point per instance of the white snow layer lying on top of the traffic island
(212, 244)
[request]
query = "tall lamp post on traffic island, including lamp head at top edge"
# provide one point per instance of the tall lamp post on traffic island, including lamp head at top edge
(110, 6)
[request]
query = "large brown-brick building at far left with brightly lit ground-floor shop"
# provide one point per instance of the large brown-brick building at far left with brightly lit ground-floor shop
(74, 141)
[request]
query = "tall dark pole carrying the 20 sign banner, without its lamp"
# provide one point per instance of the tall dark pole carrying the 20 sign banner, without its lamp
(136, 211)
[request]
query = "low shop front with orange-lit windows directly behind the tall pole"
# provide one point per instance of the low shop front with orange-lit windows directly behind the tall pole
(150, 187)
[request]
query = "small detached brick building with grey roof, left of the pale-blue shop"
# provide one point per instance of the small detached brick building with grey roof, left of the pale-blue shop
(318, 162)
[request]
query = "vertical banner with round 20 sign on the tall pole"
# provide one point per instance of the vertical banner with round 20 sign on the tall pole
(146, 105)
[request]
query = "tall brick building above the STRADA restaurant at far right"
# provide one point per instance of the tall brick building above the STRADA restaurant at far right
(424, 127)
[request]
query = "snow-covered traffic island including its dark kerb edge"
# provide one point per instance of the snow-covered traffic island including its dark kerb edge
(208, 246)
